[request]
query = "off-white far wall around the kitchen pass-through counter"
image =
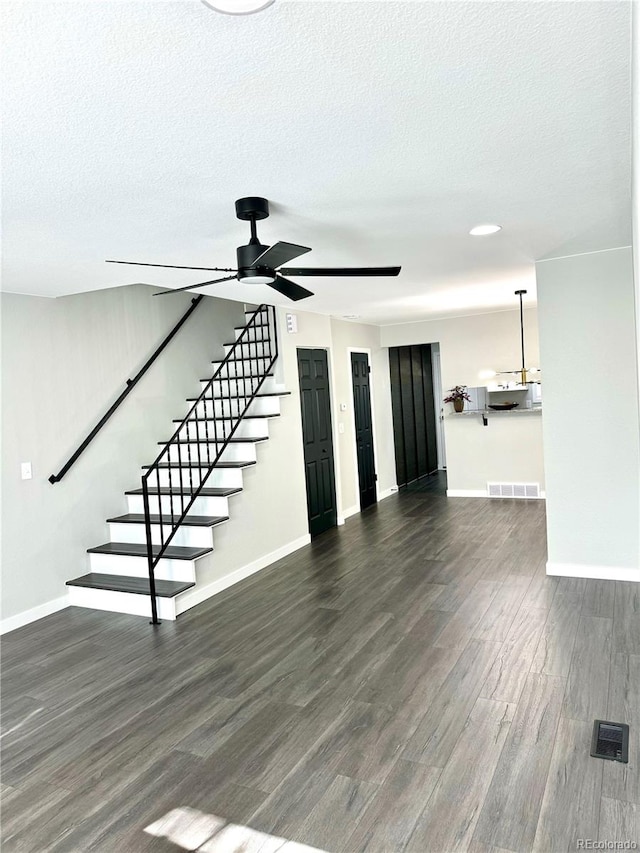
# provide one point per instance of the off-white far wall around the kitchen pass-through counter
(509, 449)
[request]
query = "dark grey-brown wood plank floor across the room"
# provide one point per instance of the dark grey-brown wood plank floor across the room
(410, 681)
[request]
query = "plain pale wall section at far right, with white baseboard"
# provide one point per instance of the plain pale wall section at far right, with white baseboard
(591, 428)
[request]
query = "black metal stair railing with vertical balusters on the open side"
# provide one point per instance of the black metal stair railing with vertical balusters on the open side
(206, 434)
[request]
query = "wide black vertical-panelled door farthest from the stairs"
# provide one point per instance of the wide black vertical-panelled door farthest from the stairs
(414, 420)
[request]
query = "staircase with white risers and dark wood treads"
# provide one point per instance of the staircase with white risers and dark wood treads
(150, 560)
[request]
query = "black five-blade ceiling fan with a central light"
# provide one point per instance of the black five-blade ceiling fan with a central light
(259, 264)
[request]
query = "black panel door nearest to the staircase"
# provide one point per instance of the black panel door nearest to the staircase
(316, 435)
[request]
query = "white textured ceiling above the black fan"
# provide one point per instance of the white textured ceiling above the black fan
(380, 131)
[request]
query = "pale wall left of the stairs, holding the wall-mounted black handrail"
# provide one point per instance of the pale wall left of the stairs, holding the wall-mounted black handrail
(64, 361)
